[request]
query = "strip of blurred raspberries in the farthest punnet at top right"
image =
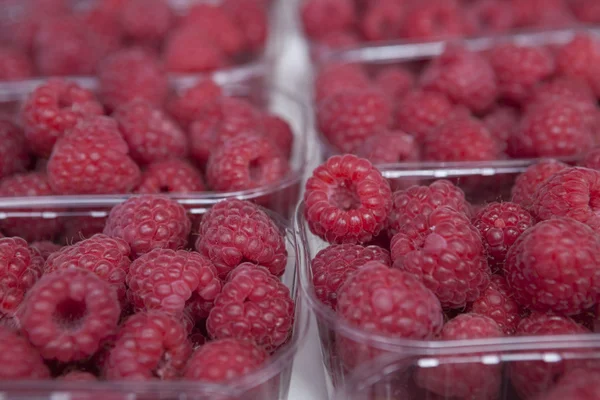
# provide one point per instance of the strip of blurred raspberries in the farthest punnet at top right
(345, 23)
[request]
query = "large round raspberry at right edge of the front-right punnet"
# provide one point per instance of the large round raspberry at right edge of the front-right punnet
(535, 267)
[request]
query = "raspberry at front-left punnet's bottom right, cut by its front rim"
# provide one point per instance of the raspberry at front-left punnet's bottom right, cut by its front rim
(225, 360)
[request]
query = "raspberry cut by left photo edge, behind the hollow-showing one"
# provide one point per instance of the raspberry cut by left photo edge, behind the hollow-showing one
(20, 268)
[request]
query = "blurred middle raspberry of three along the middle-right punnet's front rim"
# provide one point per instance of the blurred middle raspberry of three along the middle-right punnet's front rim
(461, 139)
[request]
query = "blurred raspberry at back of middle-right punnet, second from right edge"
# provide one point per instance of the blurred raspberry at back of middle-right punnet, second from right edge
(519, 69)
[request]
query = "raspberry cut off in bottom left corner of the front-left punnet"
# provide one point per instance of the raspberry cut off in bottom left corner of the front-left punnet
(19, 360)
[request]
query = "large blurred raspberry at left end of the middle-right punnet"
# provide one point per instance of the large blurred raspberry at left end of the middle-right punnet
(347, 118)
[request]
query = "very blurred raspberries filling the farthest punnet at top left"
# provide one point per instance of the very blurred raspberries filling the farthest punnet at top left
(52, 39)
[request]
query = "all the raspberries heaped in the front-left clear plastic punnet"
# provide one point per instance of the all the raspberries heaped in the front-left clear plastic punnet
(149, 298)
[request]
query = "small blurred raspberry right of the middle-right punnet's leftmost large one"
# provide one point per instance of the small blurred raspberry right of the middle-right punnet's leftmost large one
(419, 112)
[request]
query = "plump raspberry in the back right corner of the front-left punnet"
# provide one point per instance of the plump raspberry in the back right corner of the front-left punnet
(234, 231)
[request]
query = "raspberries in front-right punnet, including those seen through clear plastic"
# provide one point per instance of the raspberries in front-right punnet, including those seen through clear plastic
(424, 263)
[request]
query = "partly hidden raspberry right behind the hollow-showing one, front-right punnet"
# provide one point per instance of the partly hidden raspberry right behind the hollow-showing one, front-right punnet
(418, 202)
